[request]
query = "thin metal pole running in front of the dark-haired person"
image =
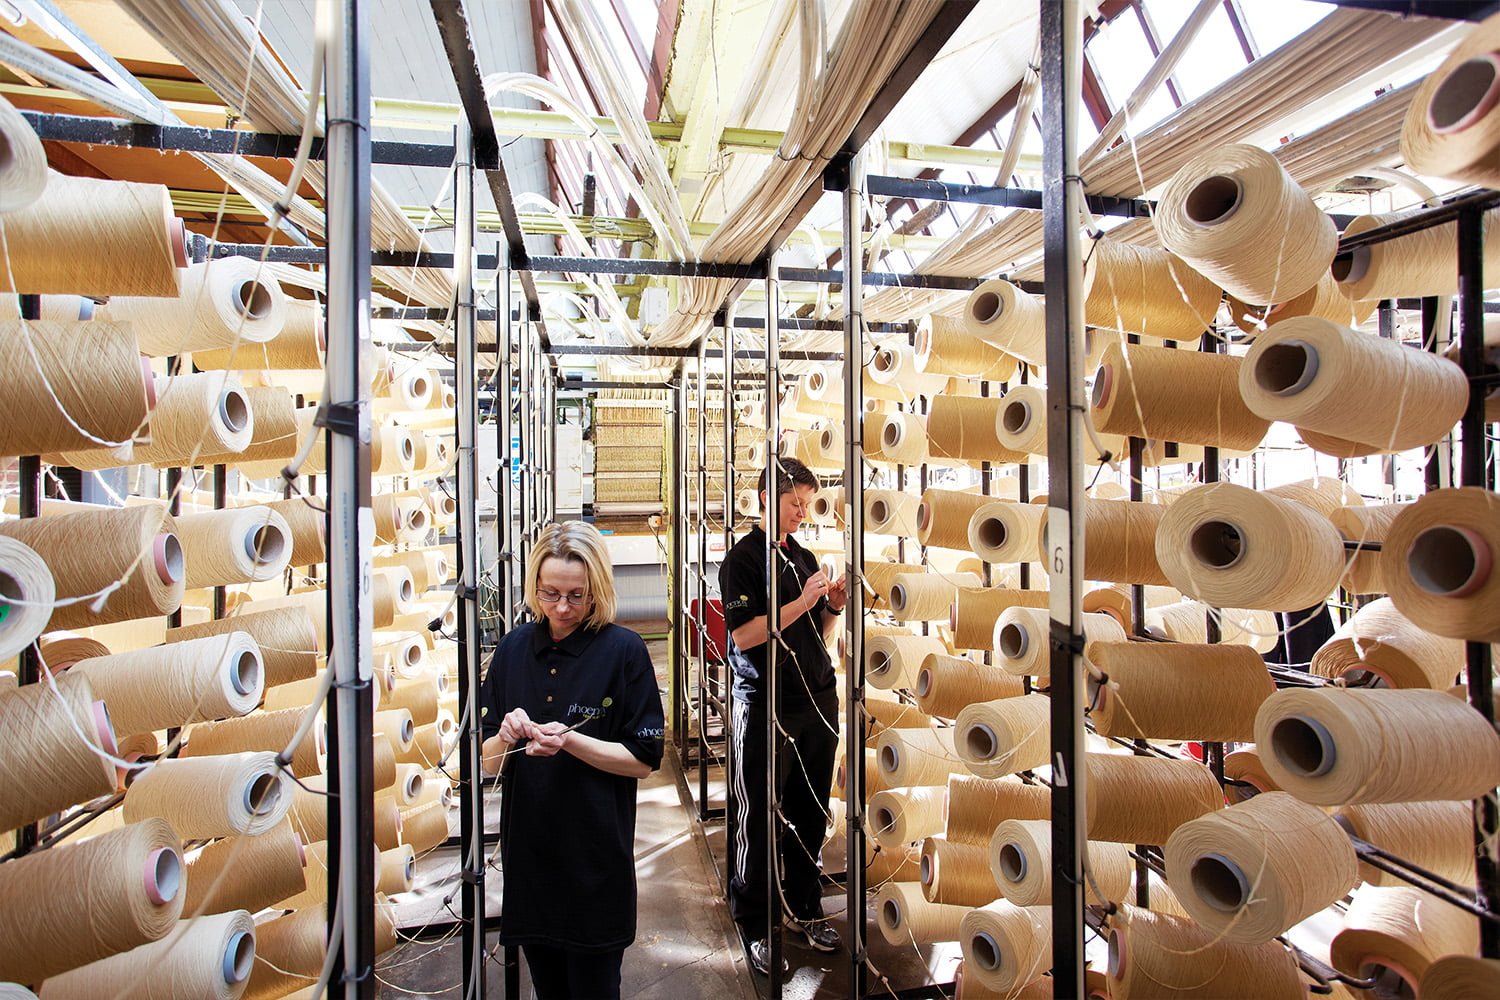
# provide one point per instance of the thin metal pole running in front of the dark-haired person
(773, 645)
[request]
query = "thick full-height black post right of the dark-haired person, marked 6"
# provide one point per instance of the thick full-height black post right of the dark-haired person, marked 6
(1061, 80)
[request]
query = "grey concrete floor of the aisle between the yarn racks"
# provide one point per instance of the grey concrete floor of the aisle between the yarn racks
(686, 945)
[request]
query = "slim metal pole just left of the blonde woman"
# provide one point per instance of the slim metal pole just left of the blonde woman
(472, 780)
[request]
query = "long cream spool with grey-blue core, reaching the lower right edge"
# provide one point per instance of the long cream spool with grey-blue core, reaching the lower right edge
(1333, 746)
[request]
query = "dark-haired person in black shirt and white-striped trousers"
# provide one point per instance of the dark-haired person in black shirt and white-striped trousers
(808, 720)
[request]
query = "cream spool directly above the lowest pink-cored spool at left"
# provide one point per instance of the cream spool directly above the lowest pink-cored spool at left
(212, 797)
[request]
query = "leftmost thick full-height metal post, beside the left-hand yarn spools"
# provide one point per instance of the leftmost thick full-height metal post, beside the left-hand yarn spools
(352, 525)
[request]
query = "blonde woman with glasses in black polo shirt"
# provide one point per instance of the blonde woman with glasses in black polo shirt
(574, 717)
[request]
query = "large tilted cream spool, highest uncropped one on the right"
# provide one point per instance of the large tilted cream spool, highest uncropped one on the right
(1237, 197)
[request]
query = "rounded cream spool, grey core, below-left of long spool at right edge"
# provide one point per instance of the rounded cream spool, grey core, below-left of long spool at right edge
(1256, 869)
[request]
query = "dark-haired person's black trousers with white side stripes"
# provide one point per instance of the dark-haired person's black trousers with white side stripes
(805, 777)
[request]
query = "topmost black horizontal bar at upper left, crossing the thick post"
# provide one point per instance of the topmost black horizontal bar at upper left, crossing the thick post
(187, 139)
